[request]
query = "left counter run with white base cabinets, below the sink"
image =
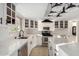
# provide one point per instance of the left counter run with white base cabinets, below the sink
(10, 47)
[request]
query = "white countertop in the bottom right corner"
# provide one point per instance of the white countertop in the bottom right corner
(70, 49)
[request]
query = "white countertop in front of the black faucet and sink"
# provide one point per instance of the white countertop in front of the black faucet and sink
(8, 46)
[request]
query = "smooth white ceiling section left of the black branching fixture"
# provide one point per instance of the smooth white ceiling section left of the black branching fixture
(32, 10)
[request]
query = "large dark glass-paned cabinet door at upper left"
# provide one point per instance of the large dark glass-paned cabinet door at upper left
(10, 13)
